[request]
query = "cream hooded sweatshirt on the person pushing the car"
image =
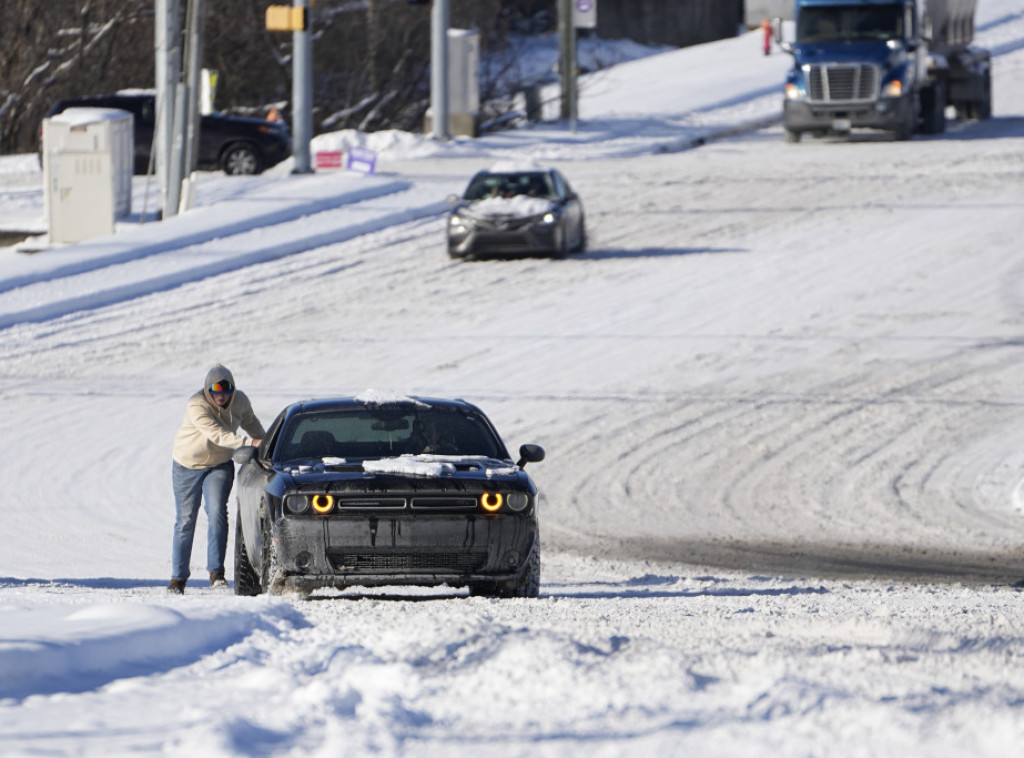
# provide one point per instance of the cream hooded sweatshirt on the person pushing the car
(208, 435)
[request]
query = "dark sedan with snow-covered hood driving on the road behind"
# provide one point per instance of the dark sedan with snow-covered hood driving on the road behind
(517, 212)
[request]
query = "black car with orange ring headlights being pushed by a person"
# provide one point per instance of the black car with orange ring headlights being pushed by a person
(375, 490)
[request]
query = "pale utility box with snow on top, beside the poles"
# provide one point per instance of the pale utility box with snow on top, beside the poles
(88, 170)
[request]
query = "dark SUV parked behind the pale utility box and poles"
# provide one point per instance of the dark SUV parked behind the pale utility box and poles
(233, 144)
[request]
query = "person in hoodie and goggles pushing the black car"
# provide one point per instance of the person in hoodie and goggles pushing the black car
(202, 471)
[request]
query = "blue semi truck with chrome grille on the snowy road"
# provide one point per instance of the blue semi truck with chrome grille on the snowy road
(889, 65)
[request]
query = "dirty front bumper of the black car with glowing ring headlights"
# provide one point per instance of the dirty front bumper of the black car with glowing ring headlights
(378, 551)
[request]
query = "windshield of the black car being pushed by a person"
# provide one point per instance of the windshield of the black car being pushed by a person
(387, 432)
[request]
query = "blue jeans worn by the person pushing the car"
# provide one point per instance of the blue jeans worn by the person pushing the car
(191, 487)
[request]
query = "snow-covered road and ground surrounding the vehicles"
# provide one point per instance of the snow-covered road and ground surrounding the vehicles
(781, 395)
